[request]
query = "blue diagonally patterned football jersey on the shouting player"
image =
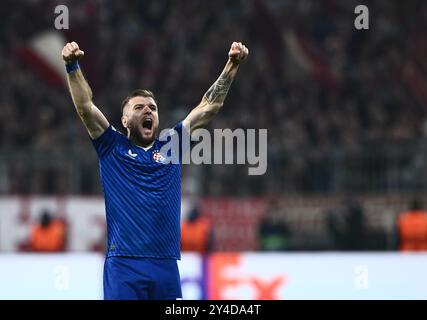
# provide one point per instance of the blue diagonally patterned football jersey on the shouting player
(142, 197)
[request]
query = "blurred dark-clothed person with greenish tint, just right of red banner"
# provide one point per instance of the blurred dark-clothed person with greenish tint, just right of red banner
(273, 232)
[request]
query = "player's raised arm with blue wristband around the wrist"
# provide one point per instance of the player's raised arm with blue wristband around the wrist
(93, 119)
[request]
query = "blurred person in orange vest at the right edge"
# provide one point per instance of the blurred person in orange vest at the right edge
(412, 228)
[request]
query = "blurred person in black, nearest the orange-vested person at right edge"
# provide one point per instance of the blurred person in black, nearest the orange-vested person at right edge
(348, 228)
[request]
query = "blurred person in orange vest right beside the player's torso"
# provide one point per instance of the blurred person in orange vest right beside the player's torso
(196, 233)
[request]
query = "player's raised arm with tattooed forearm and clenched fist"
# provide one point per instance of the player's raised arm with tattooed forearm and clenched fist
(214, 98)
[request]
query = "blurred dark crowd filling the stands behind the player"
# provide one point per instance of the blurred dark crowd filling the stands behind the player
(328, 94)
